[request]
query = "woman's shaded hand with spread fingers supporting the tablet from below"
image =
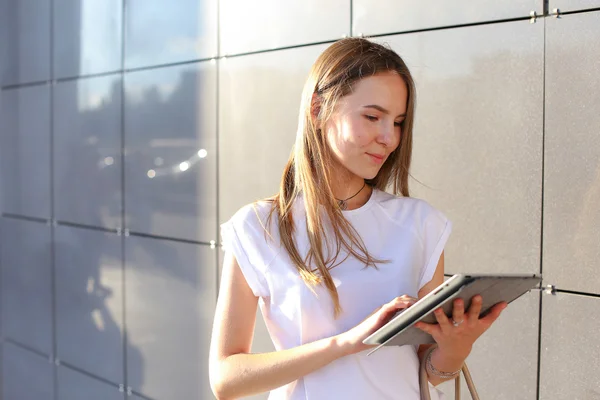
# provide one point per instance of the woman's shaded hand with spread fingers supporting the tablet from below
(457, 340)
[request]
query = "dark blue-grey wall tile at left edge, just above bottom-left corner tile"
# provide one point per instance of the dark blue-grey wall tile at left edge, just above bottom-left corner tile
(25, 258)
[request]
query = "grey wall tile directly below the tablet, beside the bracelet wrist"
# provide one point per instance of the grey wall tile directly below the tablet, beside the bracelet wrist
(504, 360)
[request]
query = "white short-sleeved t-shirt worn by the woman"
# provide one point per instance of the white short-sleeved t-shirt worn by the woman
(408, 231)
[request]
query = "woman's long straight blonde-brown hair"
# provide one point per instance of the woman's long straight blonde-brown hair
(333, 76)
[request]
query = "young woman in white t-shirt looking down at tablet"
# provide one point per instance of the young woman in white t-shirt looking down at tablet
(333, 245)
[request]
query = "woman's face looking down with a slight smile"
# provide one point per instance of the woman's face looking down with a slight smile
(365, 127)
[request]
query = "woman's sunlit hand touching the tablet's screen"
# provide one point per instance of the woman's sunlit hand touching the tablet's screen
(352, 340)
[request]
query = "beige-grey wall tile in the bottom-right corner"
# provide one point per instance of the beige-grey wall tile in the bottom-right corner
(570, 366)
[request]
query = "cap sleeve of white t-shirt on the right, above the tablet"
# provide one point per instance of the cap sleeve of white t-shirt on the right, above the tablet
(436, 231)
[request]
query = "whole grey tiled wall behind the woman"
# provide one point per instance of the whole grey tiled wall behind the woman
(129, 129)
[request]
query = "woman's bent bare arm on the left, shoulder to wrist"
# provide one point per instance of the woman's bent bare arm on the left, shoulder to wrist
(234, 372)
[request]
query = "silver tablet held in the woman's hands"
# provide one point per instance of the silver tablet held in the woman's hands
(493, 289)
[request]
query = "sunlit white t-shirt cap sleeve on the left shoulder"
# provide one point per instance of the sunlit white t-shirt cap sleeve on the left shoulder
(241, 239)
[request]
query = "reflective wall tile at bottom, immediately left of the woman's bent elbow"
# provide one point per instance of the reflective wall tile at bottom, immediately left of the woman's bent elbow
(170, 300)
